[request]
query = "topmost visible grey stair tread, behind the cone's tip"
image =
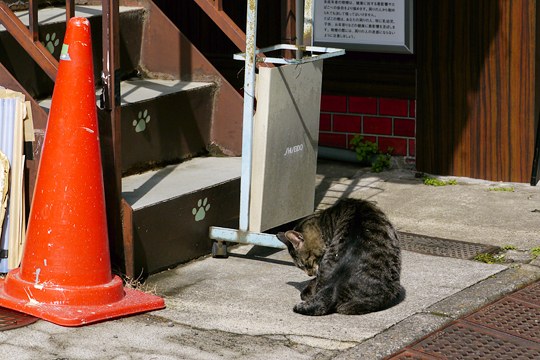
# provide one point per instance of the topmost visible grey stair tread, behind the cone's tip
(53, 15)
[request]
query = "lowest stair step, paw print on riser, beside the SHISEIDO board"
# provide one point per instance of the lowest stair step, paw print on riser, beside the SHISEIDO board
(172, 209)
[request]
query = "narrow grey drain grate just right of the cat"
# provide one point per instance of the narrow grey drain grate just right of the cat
(442, 247)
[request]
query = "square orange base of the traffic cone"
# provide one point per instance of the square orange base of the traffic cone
(132, 302)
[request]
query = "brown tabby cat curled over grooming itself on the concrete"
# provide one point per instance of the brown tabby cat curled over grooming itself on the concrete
(352, 250)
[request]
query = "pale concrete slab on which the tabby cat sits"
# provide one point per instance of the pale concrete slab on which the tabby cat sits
(254, 295)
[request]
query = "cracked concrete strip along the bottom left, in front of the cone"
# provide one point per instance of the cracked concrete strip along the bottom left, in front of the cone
(143, 337)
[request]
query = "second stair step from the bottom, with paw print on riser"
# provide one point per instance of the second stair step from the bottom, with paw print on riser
(163, 121)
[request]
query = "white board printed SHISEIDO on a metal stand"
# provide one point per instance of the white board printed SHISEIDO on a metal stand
(285, 139)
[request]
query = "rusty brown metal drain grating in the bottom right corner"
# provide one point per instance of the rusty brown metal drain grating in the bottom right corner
(506, 329)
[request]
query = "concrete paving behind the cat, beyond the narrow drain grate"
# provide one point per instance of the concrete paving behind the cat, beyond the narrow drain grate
(472, 210)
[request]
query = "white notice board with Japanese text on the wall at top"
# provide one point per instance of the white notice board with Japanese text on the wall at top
(364, 25)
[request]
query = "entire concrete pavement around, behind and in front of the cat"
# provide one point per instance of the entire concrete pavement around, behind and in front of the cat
(241, 307)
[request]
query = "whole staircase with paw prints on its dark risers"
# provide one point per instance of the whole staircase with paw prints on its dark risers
(168, 211)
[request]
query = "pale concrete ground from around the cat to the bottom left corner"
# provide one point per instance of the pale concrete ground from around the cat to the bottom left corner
(241, 307)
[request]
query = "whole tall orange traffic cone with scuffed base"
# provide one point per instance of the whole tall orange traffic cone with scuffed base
(65, 275)
